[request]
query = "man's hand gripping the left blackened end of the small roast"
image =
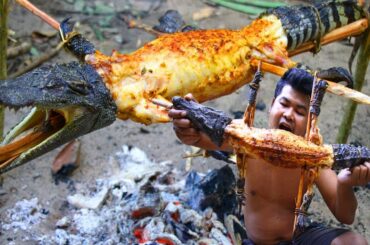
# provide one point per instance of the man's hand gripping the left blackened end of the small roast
(182, 126)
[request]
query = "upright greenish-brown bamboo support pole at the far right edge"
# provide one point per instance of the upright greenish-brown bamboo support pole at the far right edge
(360, 73)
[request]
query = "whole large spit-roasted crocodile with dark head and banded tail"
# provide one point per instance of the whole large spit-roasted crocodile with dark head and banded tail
(70, 100)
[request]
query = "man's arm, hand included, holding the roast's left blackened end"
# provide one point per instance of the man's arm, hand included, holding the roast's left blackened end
(189, 135)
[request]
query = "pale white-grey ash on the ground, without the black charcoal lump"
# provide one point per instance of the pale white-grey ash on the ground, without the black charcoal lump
(106, 214)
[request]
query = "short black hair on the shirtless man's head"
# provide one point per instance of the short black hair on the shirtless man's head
(299, 79)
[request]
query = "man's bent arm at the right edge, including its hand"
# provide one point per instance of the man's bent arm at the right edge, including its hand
(337, 190)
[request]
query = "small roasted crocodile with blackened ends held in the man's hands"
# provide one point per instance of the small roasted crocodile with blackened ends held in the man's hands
(278, 147)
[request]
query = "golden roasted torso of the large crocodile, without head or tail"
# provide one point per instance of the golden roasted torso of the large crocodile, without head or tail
(206, 63)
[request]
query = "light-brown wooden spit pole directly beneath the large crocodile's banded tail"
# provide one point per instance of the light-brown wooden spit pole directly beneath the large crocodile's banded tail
(352, 29)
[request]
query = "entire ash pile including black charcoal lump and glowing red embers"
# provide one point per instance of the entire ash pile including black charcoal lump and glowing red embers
(142, 203)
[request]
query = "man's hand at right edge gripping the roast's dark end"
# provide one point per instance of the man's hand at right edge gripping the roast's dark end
(357, 176)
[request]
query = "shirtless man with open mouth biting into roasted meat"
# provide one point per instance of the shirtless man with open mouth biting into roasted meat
(271, 191)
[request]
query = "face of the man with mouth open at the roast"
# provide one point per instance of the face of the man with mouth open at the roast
(289, 111)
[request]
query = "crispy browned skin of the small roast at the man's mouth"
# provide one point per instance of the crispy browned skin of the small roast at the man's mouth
(279, 147)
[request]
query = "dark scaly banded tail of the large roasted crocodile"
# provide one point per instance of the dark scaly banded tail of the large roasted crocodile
(309, 23)
